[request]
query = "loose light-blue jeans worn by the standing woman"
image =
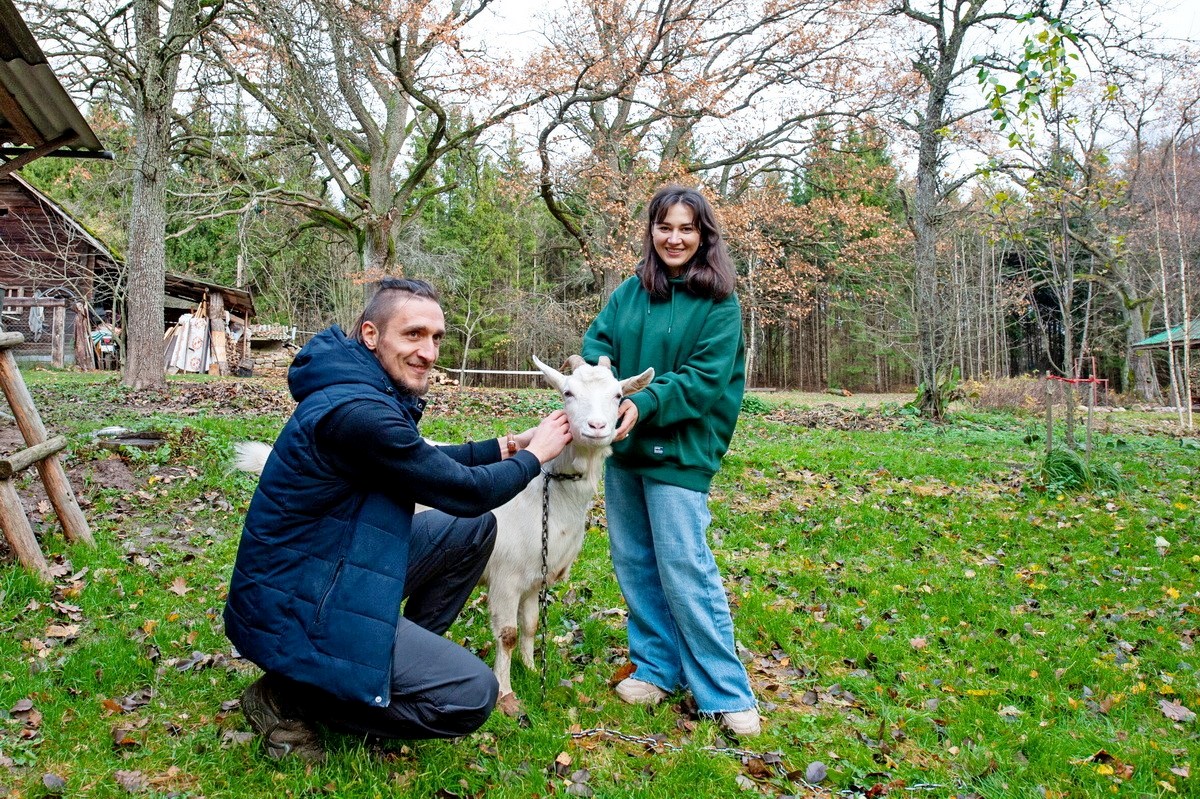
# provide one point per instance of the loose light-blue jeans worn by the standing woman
(681, 634)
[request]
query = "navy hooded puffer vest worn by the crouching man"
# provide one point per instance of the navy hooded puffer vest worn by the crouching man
(320, 575)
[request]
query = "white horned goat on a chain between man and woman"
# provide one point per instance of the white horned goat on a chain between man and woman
(591, 398)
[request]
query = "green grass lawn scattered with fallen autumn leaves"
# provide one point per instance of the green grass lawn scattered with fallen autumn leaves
(919, 608)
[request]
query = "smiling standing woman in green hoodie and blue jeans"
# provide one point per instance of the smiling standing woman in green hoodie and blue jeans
(679, 315)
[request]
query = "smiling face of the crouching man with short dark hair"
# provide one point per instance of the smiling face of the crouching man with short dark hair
(410, 341)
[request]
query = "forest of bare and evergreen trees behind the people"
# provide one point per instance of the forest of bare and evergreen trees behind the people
(915, 191)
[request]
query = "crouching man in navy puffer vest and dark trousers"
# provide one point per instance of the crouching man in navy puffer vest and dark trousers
(332, 546)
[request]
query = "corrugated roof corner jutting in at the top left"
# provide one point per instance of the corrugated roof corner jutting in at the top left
(38, 117)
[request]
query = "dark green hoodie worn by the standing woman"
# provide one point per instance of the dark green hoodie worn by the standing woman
(686, 418)
